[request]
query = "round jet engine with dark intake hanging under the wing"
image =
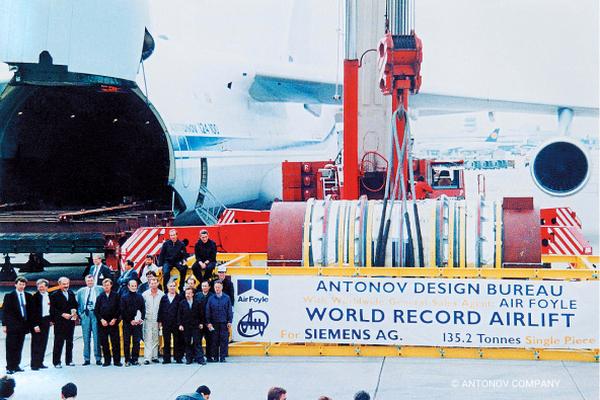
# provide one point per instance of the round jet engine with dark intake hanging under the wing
(560, 167)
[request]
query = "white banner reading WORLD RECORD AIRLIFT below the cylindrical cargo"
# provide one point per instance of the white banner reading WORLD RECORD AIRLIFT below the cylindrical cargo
(417, 312)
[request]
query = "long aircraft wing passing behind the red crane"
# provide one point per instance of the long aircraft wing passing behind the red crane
(273, 88)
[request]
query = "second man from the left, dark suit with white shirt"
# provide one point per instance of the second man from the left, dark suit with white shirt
(40, 321)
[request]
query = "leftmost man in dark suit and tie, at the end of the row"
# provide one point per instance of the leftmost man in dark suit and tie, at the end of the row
(17, 310)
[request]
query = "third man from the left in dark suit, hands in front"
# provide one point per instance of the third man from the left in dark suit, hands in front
(63, 311)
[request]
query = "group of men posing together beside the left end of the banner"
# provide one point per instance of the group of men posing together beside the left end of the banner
(185, 317)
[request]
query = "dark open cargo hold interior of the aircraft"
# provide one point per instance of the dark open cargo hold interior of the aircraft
(79, 147)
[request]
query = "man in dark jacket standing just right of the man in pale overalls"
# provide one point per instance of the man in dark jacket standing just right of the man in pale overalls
(167, 320)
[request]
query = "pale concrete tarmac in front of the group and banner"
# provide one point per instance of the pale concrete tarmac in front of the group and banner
(307, 378)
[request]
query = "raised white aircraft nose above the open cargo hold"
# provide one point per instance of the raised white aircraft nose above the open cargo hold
(99, 37)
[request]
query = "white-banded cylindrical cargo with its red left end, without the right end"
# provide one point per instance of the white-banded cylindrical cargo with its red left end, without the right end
(370, 233)
